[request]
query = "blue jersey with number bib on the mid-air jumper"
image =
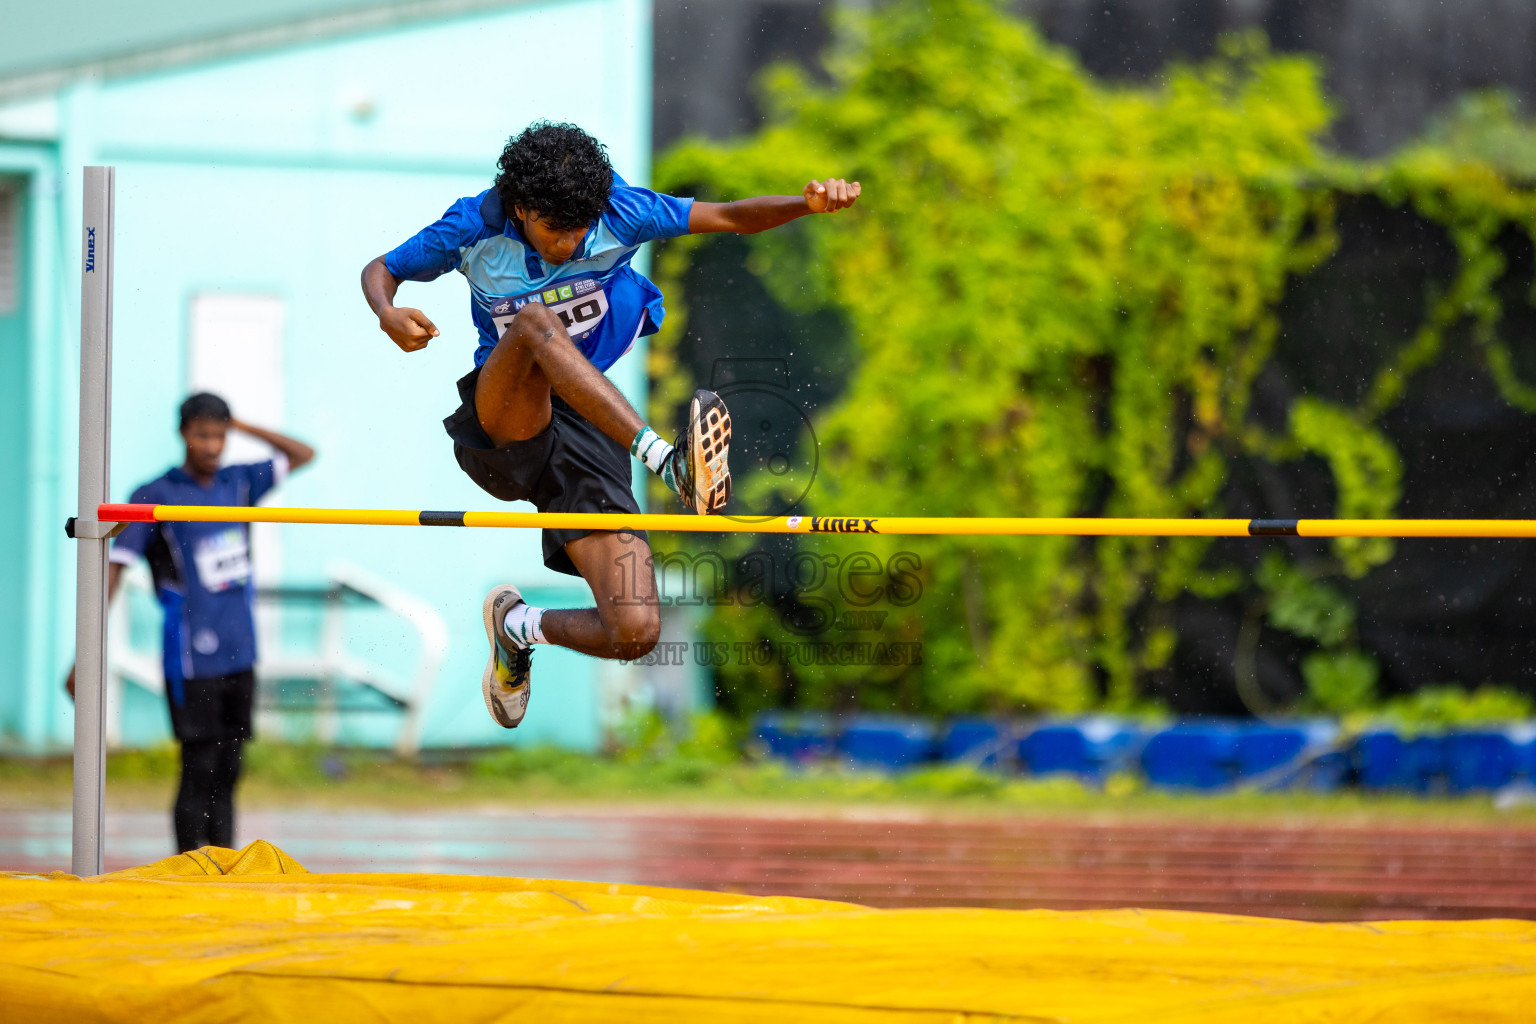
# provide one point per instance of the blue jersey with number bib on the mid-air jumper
(604, 303)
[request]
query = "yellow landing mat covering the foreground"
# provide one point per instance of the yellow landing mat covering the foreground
(250, 936)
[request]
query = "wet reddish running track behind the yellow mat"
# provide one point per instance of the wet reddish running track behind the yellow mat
(1297, 873)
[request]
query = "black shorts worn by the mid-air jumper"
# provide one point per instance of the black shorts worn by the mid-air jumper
(569, 467)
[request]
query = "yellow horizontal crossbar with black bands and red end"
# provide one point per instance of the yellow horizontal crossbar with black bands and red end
(896, 526)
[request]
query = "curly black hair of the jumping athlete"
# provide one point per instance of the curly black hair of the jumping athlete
(557, 171)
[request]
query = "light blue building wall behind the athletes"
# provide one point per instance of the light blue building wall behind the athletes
(280, 174)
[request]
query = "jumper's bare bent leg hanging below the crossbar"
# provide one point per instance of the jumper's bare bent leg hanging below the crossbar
(627, 621)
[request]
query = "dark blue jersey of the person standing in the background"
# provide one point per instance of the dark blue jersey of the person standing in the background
(202, 570)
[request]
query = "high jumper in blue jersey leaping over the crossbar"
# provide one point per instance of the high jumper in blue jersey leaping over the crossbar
(548, 254)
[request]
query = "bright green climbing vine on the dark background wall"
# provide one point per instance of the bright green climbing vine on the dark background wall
(1061, 296)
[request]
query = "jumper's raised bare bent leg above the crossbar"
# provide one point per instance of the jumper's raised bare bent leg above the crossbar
(535, 358)
